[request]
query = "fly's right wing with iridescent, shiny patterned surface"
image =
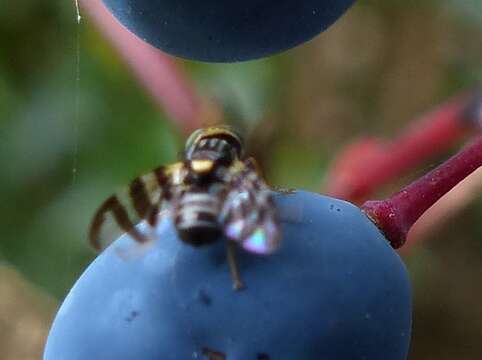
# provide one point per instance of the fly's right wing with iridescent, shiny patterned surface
(249, 215)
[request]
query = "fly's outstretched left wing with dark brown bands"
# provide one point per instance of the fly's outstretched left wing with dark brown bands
(142, 200)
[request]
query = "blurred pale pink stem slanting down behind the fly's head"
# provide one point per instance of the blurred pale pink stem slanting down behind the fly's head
(160, 75)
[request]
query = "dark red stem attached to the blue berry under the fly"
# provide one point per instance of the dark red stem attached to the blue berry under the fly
(396, 215)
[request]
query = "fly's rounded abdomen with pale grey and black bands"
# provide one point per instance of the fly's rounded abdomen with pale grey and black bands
(196, 217)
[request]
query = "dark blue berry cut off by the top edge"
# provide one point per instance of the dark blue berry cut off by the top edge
(226, 31)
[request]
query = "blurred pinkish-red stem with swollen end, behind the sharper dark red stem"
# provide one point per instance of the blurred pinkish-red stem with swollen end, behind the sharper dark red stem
(358, 173)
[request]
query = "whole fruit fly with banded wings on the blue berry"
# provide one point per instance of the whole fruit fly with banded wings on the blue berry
(213, 191)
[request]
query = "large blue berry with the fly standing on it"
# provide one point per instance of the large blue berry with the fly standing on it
(335, 290)
